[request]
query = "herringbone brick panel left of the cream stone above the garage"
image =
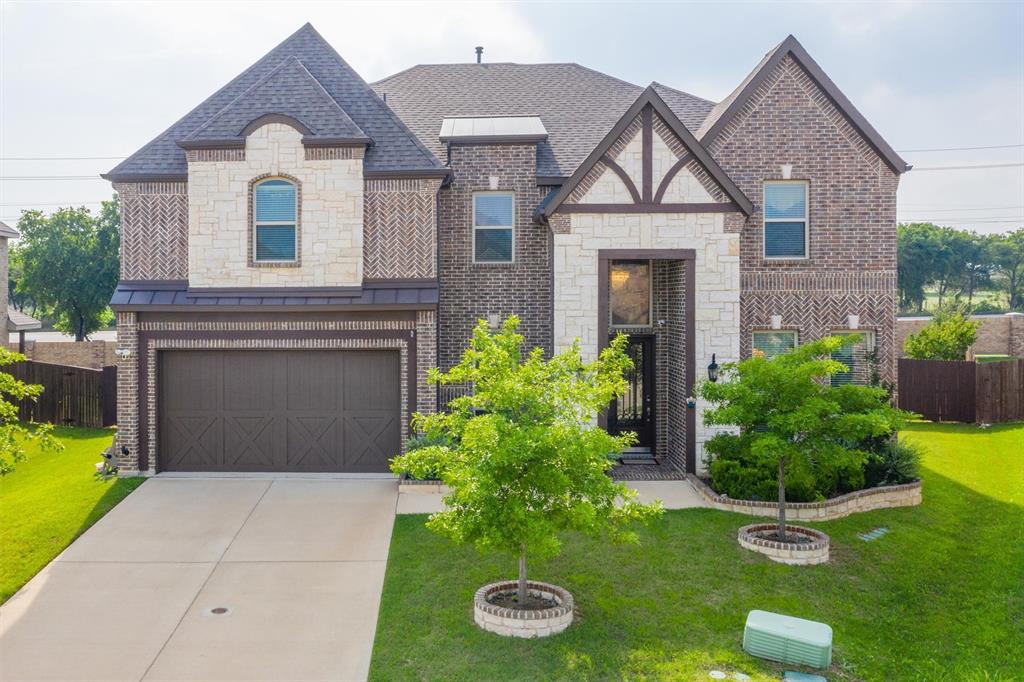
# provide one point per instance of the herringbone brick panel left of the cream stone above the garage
(154, 231)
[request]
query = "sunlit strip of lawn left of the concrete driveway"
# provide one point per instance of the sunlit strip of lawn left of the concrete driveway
(51, 500)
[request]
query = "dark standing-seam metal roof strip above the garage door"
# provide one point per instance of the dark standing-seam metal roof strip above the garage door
(127, 297)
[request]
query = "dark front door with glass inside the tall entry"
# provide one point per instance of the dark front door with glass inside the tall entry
(635, 411)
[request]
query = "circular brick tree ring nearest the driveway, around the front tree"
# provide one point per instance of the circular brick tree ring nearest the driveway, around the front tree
(522, 622)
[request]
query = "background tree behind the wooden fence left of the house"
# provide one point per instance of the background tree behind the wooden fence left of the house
(70, 266)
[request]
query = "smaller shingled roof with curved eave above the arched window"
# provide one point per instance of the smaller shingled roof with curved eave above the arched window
(290, 92)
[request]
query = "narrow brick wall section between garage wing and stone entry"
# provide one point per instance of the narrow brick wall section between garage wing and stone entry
(470, 291)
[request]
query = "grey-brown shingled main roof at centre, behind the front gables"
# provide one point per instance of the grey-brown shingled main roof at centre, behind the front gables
(578, 106)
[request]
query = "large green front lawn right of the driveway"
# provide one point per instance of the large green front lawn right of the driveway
(941, 598)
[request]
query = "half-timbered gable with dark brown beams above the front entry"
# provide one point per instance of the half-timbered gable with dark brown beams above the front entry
(651, 118)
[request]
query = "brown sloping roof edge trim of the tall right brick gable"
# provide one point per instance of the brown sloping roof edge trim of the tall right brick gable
(724, 111)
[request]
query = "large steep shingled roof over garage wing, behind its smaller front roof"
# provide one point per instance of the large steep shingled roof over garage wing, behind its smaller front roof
(395, 150)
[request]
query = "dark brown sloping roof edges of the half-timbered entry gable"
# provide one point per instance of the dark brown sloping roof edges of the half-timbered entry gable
(652, 98)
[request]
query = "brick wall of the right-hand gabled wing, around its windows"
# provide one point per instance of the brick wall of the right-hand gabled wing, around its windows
(851, 265)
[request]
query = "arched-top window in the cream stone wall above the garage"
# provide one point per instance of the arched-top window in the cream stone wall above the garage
(275, 211)
